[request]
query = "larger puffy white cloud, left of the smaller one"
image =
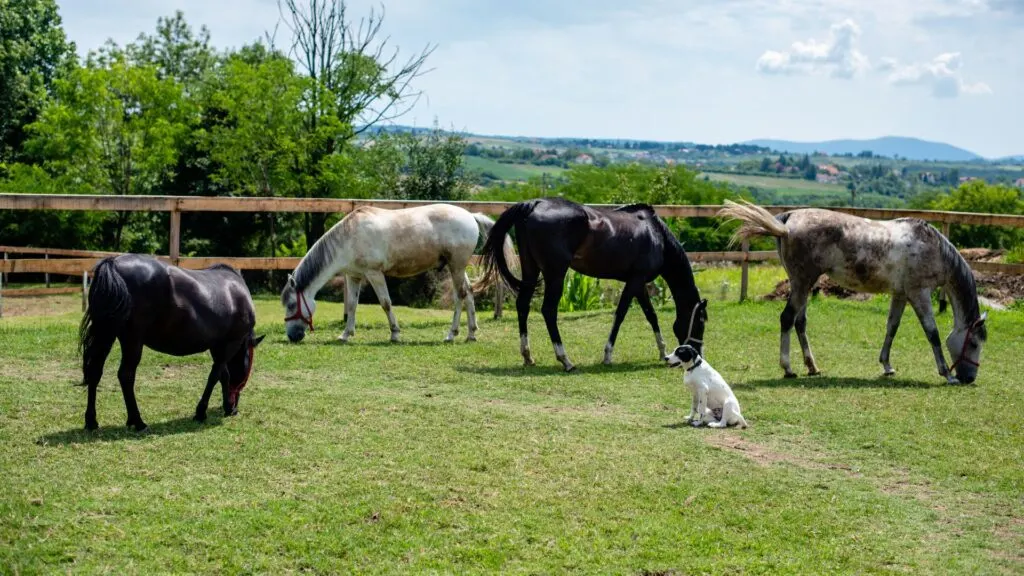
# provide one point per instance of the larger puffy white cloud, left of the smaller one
(838, 56)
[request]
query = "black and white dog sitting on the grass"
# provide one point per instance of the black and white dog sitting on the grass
(712, 396)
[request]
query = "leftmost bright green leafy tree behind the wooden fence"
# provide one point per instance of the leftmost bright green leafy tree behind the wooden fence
(117, 130)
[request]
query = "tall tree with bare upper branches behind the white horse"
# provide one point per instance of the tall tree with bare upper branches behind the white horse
(357, 84)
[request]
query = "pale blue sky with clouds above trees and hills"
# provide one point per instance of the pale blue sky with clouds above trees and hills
(704, 71)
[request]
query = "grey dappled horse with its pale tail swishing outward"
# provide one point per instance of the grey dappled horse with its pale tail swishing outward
(906, 258)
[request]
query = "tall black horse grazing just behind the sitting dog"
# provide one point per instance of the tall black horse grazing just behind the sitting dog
(631, 244)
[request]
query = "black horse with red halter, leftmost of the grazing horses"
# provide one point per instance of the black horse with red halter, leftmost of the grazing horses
(143, 302)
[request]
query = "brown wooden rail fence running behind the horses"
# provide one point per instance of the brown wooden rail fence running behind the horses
(81, 262)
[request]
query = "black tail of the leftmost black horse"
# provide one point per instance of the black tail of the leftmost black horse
(110, 306)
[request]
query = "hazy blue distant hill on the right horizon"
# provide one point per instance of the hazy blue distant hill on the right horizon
(912, 149)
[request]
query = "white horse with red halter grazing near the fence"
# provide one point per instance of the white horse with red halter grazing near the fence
(370, 244)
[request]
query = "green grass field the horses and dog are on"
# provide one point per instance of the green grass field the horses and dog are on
(417, 458)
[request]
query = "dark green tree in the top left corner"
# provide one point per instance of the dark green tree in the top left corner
(34, 52)
